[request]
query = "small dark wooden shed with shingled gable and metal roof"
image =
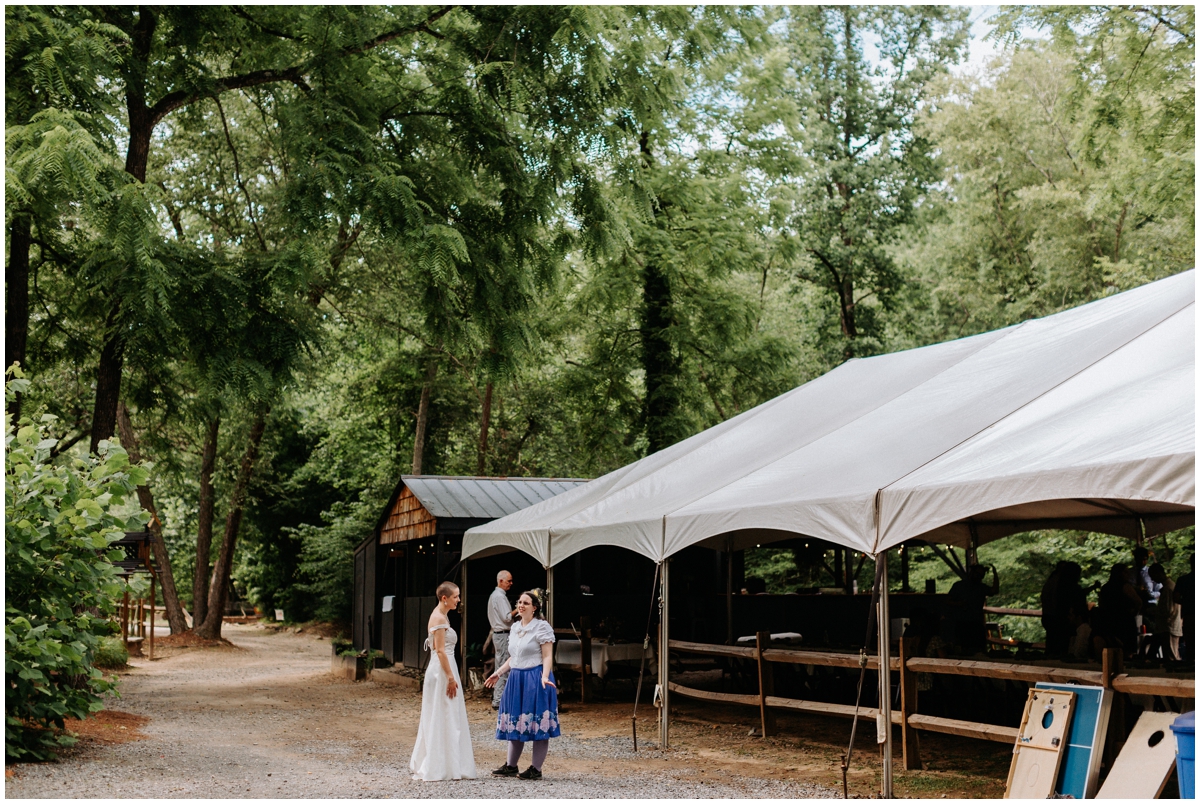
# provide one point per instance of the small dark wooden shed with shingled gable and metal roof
(417, 544)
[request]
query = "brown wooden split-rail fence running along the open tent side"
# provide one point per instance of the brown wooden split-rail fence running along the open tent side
(1109, 676)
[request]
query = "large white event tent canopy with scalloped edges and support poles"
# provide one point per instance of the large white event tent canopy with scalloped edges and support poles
(1079, 421)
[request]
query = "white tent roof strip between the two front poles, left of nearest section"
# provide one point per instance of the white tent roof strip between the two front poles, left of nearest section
(827, 490)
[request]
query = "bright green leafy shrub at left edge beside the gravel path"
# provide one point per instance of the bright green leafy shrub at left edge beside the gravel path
(61, 584)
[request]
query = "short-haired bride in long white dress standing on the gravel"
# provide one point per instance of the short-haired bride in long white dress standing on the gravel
(443, 748)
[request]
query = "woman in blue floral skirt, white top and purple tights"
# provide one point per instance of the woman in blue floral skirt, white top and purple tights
(530, 705)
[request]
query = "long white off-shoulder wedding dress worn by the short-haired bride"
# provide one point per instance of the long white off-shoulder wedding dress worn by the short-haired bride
(443, 748)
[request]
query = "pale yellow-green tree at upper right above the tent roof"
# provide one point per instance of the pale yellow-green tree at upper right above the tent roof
(1070, 167)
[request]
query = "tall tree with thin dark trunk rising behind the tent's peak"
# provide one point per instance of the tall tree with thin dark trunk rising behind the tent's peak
(867, 169)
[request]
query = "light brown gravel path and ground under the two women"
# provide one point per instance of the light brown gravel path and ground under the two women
(267, 719)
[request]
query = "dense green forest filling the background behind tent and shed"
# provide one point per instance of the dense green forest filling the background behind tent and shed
(286, 255)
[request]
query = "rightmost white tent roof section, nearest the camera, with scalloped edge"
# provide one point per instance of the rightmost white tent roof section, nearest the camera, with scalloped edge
(1124, 430)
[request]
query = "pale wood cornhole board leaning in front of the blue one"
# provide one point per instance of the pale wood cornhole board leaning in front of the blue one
(1041, 743)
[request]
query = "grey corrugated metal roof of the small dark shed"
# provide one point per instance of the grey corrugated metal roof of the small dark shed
(484, 499)
